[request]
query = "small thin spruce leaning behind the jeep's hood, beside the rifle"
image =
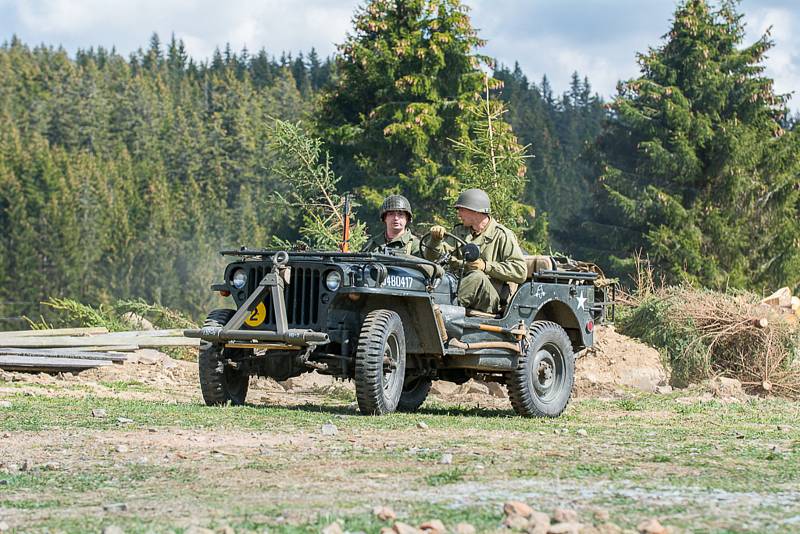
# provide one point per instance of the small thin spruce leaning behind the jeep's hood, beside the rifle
(312, 188)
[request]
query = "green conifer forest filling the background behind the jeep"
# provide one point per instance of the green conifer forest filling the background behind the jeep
(123, 177)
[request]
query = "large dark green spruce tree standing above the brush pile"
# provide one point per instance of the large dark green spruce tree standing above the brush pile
(695, 167)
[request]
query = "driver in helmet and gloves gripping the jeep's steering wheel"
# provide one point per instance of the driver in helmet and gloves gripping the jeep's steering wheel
(500, 260)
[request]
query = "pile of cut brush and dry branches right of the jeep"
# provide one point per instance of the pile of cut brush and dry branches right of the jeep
(702, 333)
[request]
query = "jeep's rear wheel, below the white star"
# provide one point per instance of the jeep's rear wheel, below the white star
(541, 386)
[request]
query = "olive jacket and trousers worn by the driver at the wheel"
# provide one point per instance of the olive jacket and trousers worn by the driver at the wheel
(480, 290)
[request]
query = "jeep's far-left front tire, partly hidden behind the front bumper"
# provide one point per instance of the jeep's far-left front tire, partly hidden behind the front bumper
(220, 384)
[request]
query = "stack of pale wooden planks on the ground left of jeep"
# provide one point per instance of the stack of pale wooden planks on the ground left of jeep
(75, 349)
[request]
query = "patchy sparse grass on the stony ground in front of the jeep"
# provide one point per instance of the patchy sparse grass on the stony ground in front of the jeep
(643, 456)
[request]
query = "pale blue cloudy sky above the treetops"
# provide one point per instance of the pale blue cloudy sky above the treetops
(598, 38)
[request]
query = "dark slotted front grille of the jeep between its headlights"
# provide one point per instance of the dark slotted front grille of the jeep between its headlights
(301, 295)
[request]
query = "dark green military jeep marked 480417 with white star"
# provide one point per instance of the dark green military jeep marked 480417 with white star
(392, 324)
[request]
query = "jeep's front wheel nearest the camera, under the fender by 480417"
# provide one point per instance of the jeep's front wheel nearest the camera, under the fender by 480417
(380, 363)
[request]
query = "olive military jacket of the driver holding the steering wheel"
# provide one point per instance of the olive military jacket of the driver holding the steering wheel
(499, 249)
